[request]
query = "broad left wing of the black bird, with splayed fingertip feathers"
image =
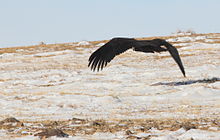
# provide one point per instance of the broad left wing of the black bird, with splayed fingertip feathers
(107, 52)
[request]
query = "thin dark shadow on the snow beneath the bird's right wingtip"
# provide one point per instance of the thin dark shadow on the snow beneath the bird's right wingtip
(188, 82)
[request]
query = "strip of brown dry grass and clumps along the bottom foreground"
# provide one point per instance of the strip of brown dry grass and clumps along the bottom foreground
(78, 127)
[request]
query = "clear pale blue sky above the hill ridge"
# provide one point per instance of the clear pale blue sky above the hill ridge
(29, 22)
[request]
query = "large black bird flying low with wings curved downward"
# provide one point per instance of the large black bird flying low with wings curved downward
(99, 59)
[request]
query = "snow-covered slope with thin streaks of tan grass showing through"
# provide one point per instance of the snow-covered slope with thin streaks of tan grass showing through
(56, 85)
